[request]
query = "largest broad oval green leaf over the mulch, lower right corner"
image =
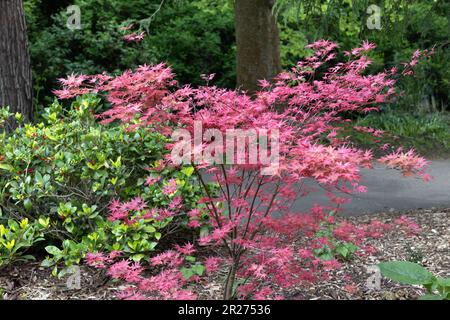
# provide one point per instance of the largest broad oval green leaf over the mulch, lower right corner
(406, 272)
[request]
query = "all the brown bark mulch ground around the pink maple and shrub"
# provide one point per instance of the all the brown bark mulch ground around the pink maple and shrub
(431, 248)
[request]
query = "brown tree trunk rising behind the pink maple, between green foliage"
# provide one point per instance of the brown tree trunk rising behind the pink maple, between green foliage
(258, 43)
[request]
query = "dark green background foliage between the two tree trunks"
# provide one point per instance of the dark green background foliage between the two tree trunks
(194, 37)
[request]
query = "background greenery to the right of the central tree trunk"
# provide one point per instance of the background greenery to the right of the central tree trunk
(405, 27)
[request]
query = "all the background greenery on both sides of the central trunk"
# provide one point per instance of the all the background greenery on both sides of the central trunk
(197, 37)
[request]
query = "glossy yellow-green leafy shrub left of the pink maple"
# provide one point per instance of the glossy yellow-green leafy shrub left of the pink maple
(67, 169)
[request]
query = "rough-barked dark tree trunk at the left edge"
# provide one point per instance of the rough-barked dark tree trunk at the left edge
(15, 66)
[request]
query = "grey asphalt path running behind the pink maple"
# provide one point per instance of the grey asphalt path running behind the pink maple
(388, 191)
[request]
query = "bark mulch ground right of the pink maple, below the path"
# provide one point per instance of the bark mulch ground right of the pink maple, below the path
(431, 249)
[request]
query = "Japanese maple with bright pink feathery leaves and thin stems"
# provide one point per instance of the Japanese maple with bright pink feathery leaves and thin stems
(304, 105)
